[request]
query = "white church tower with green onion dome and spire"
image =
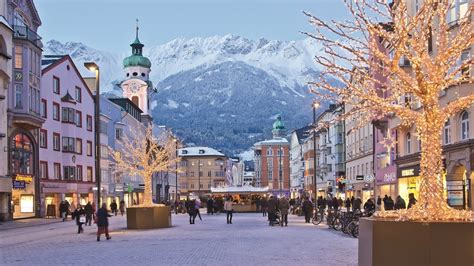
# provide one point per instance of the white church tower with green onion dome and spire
(137, 87)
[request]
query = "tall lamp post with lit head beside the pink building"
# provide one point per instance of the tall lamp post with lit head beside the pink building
(91, 66)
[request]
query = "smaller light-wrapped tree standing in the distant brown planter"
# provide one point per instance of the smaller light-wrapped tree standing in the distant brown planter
(145, 154)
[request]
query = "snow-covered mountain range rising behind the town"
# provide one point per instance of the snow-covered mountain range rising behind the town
(222, 91)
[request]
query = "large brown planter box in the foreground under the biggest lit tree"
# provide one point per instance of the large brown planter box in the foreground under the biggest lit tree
(389, 242)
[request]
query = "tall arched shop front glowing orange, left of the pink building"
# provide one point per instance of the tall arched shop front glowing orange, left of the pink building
(23, 169)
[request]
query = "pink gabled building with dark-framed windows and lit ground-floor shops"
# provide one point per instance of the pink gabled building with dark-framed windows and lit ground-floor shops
(66, 139)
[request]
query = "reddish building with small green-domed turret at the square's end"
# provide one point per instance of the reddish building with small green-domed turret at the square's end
(272, 161)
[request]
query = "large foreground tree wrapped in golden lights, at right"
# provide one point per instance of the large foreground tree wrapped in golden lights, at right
(368, 48)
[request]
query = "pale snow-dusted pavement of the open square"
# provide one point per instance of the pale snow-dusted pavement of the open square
(248, 241)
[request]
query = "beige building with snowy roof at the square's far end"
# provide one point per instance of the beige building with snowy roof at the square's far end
(200, 169)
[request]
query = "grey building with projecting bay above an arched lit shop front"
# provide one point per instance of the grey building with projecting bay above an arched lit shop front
(24, 118)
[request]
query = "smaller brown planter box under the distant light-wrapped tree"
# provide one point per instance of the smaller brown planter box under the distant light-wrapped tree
(148, 217)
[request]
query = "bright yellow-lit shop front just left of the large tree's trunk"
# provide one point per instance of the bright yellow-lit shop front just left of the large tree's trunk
(409, 181)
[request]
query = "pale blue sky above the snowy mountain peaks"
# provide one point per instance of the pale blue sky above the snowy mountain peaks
(110, 24)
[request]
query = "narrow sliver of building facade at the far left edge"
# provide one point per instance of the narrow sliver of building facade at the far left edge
(6, 48)
